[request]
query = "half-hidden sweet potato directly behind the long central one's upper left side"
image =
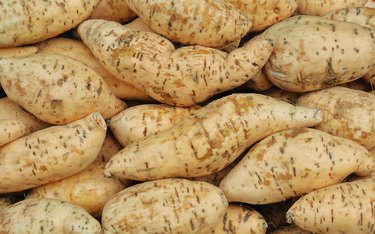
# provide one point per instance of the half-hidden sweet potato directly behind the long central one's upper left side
(140, 121)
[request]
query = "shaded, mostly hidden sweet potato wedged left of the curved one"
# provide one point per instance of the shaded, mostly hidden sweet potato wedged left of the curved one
(78, 50)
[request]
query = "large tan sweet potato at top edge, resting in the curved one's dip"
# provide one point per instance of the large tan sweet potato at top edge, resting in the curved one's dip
(211, 23)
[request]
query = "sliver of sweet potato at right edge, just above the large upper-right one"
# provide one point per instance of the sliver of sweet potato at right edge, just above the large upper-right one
(359, 15)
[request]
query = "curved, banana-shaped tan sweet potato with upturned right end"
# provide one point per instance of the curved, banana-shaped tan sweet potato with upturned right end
(179, 77)
